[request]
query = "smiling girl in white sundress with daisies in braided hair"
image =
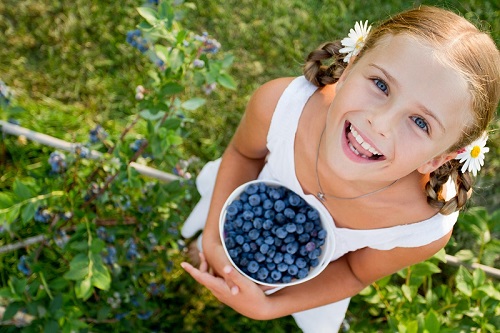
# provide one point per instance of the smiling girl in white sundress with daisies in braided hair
(375, 143)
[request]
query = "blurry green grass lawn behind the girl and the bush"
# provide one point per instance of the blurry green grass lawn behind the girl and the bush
(71, 68)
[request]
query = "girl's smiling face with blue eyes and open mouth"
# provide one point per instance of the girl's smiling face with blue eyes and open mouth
(396, 110)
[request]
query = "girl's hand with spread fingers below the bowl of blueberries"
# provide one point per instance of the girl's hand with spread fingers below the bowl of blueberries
(232, 289)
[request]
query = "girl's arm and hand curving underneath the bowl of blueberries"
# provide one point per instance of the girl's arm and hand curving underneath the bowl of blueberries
(342, 278)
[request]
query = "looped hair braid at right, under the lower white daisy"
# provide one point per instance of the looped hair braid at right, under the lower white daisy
(463, 184)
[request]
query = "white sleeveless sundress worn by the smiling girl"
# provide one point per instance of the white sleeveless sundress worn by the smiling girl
(280, 166)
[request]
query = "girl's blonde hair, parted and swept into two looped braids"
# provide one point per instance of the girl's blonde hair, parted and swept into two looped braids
(459, 45)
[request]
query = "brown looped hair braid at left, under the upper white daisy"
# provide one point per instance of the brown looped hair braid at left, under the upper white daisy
(321, 75)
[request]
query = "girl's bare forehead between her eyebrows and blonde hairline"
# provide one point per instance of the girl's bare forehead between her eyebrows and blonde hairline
(422, 76)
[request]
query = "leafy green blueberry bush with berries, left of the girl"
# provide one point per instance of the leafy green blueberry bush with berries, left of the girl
(89, 240)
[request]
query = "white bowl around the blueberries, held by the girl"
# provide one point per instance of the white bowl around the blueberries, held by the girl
(327, 249)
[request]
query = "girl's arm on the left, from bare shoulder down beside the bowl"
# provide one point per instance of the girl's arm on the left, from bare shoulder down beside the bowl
(242, 161)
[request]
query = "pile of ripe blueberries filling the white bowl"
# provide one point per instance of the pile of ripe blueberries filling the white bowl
(272, 234)
